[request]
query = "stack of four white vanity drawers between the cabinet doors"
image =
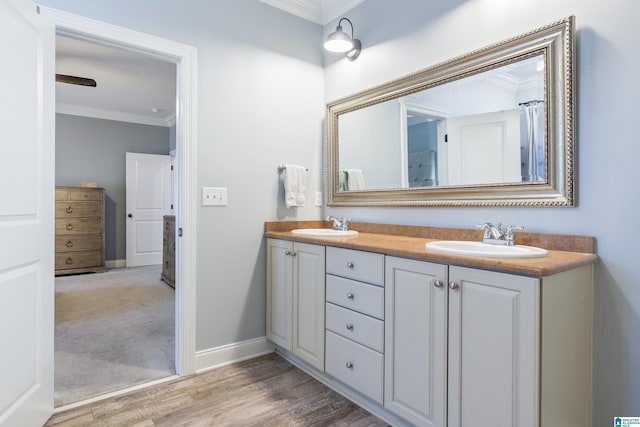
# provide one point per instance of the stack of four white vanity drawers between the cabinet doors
(355, 320)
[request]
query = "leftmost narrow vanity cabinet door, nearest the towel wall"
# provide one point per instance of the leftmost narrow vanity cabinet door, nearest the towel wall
(279, 292)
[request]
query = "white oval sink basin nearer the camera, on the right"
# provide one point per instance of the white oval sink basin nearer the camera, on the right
(467, 248)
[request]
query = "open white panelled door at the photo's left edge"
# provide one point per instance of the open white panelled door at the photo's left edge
(26, 214)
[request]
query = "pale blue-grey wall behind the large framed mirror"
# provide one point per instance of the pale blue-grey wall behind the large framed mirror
(403, 36)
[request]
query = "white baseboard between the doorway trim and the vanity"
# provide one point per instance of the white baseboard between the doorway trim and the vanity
(232, 353)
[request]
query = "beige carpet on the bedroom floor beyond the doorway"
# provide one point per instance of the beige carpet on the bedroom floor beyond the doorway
(113, 330)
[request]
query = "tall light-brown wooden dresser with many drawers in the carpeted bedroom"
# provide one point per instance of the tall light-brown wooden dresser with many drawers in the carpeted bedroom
(79, 230)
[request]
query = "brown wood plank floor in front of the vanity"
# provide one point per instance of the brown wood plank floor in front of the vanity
(266, 391)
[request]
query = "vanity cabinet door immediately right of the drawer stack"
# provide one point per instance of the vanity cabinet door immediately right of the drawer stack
(416, 341)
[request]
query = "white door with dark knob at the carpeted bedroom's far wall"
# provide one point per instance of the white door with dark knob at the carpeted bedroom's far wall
(148, 200)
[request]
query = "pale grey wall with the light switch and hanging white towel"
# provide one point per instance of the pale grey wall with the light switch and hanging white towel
(260, 103)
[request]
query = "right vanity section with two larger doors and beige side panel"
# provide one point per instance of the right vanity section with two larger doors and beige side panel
(467, 347)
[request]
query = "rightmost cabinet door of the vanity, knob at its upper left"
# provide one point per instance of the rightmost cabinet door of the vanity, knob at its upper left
(493, 349)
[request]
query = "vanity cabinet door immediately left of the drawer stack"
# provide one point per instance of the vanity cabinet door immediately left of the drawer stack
(308, 303)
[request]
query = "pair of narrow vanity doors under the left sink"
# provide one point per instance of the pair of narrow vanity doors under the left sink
(295, 298)
